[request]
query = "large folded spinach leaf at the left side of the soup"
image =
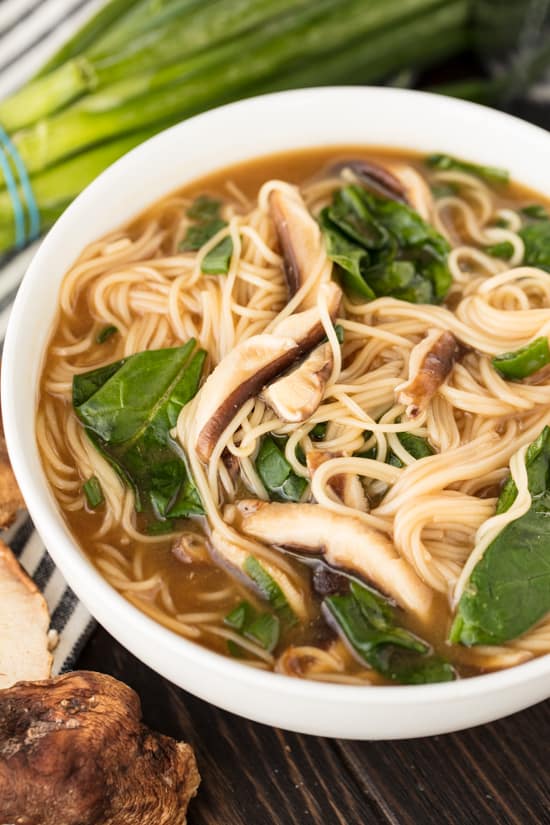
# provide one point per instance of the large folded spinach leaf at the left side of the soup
(128, 409)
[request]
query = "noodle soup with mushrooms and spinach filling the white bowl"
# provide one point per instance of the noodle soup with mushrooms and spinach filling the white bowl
(351, 495)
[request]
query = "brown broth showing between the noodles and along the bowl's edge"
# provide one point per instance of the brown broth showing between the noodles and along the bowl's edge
(187, 582)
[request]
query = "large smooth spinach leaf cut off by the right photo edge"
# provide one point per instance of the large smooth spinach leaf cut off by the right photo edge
(509, 589)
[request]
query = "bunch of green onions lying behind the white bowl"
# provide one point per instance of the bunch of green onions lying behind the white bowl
(291, 45)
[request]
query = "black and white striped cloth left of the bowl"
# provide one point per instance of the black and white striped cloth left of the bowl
(30, 31)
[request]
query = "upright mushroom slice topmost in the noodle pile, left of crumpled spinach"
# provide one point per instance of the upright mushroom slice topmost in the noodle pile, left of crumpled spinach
(299, 238)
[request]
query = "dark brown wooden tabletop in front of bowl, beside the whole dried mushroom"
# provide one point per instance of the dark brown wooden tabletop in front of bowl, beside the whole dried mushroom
(256, 775)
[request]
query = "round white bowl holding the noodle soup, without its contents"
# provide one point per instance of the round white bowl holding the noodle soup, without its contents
(321, 117)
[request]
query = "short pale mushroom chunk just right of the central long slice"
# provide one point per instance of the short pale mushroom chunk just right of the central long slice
(296, 395)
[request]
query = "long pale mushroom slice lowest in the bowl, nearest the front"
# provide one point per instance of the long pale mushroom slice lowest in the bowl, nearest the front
(346, 543)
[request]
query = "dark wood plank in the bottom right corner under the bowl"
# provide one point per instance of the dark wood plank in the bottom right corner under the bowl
(493, 773)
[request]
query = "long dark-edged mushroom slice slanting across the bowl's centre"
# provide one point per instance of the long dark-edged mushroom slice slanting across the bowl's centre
(251, 365)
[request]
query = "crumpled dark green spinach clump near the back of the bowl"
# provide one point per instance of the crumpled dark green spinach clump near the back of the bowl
(383, 247)
